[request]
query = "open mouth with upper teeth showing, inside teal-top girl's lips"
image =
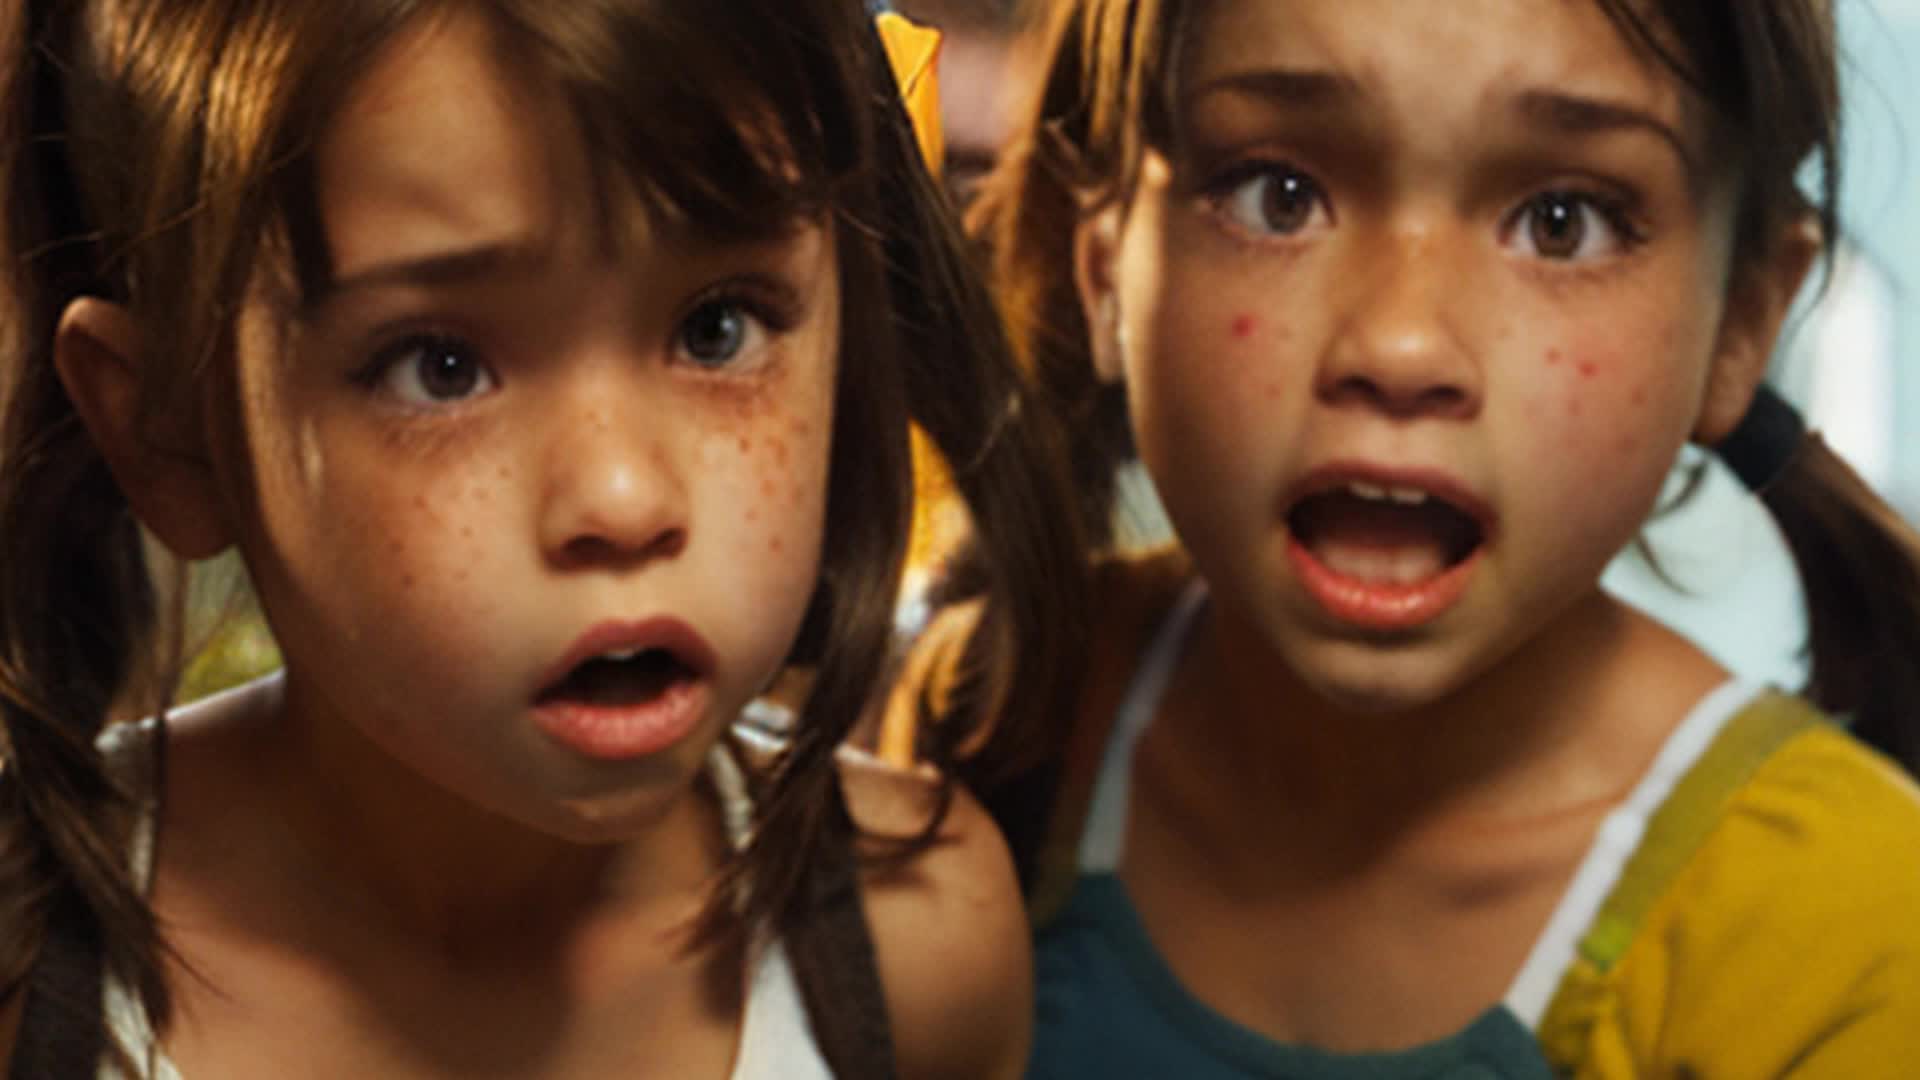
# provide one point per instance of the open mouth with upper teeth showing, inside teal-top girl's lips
(1387, 535)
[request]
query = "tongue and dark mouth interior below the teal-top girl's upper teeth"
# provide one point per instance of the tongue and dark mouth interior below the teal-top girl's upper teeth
(1374, 543)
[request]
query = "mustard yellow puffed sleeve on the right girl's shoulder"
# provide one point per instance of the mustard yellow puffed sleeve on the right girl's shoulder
(1783, 939)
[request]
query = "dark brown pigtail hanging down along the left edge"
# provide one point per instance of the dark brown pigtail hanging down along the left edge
(76, 601)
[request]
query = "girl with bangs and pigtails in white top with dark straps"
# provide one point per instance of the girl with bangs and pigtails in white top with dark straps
(550, 366)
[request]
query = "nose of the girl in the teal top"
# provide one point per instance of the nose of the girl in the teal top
(1395, 345)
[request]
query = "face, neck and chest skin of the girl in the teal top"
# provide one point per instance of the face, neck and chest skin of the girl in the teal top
(1500, 262)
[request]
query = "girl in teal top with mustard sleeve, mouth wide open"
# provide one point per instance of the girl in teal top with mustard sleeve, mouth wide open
(1408, 310)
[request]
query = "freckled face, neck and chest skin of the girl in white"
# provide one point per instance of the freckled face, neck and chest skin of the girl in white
(427, 560)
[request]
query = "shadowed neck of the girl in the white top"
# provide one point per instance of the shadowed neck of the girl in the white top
(435, 870)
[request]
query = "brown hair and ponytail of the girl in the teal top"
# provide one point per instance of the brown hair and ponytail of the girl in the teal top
(1767, 72)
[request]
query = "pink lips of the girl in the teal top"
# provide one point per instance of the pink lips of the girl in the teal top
(1378, 604)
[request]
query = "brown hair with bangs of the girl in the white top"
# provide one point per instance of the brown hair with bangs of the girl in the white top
(158, 151)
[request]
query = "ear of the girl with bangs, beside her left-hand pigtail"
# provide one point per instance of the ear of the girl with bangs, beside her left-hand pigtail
(172, 487)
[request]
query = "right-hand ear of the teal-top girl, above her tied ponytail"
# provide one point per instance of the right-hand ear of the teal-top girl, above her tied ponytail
(1760, 299)
